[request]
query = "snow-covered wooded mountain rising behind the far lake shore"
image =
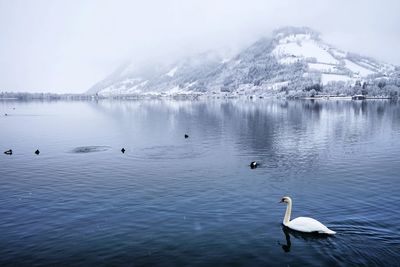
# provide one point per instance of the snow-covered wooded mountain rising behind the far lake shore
(292, 58)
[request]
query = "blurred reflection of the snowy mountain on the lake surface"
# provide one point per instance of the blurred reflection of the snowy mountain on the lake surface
(277, 131)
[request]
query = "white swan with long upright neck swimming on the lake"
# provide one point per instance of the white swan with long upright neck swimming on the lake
(303, 224)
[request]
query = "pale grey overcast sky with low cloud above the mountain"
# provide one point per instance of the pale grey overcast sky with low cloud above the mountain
(67, 46)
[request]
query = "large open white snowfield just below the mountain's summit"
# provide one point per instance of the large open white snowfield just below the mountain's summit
(303, 47)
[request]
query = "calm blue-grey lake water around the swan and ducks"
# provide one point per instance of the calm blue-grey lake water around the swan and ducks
(171, 201)
